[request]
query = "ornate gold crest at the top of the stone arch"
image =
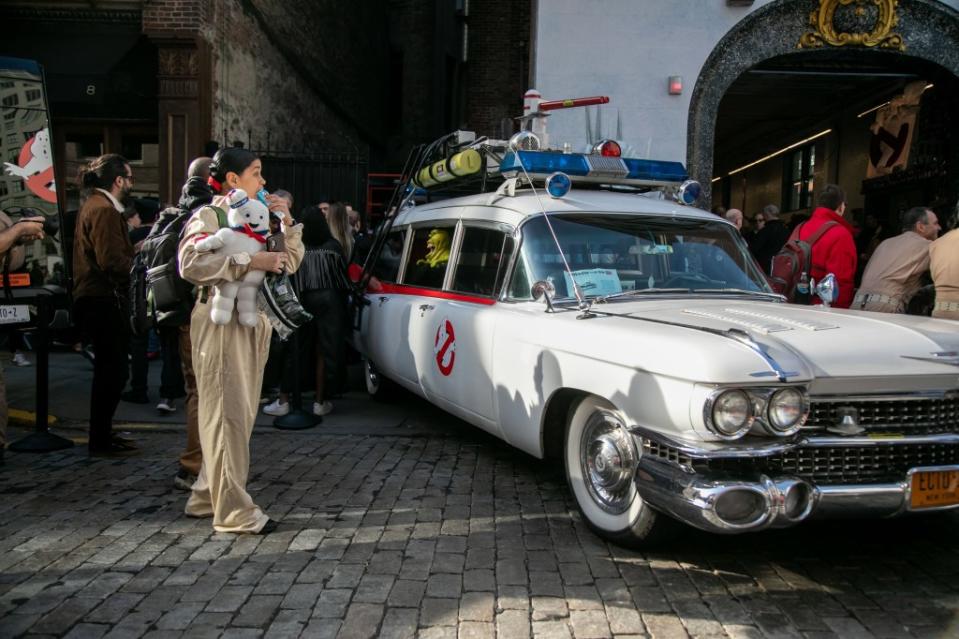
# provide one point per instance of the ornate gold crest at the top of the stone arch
(824, 30)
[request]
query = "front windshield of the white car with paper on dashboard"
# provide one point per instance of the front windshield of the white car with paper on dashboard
(615, 254)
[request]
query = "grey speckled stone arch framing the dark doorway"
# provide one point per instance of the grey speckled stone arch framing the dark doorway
(929, 30)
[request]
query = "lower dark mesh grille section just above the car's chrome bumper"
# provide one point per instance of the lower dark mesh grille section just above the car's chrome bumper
(840, 464)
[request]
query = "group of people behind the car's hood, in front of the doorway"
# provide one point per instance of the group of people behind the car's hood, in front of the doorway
(874, 274)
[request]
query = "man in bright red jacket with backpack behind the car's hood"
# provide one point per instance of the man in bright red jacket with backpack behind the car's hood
(835, 251)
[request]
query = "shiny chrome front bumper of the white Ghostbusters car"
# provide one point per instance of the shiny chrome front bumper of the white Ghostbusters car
(761, 501)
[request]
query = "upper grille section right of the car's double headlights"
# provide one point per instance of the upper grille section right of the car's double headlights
(921, 415)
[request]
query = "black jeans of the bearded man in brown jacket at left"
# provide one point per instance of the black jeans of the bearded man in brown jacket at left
(105, 328)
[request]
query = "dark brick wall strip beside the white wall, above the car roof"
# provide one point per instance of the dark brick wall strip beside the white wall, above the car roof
(498, 64)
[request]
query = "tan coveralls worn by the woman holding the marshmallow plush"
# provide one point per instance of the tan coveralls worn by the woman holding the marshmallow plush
(228, 361)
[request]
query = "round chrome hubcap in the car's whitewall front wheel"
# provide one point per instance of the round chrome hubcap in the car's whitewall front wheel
(608, 462)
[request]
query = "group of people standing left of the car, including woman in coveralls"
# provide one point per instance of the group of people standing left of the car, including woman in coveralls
(224, 371)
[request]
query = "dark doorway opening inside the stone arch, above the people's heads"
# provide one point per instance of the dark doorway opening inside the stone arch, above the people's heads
(808, 118)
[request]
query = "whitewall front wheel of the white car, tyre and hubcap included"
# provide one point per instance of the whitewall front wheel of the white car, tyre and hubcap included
(601, 460)
